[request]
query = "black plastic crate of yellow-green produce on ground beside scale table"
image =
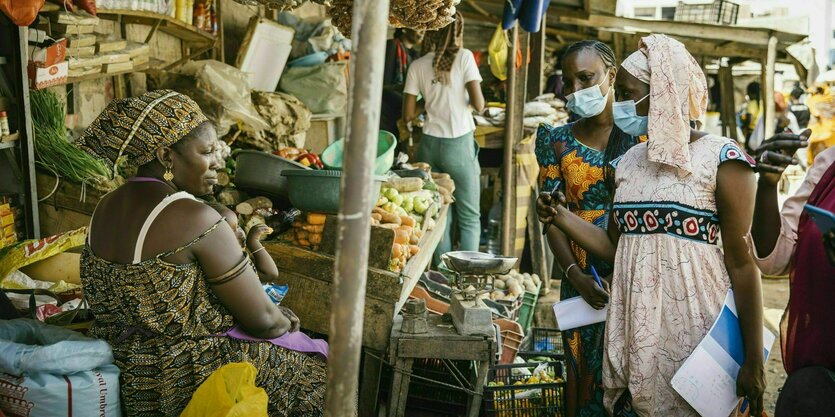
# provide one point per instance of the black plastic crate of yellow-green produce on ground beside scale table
(509, 400)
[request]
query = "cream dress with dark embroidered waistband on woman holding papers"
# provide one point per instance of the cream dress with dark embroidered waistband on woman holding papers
(667, 288)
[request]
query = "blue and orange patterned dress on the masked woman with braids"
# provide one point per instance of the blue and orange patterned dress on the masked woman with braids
(580, 169)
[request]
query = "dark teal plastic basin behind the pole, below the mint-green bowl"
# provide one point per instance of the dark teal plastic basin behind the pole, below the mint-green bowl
(318, 190)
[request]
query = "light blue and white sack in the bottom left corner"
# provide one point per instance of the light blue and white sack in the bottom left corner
(50, 371)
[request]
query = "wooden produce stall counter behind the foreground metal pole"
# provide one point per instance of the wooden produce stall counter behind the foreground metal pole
(309, 275)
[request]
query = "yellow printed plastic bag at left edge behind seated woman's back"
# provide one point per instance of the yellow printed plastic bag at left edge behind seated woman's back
(28, 252)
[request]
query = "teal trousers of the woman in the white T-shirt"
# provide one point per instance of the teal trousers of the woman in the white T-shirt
(457, 157)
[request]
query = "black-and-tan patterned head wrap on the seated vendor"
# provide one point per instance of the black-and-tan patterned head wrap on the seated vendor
(132, 129)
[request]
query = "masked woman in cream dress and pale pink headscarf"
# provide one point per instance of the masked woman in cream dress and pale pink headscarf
(674, 194)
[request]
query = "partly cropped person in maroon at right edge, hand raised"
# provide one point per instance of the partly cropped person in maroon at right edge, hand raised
(789, 242)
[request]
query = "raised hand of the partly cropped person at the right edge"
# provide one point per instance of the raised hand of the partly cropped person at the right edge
(777, 153)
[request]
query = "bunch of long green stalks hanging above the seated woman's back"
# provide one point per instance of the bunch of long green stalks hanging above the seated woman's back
(54, 152)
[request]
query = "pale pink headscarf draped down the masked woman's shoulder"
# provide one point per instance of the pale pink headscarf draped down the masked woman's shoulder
(678, 94)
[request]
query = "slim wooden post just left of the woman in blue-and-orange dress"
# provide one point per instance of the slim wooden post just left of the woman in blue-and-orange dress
(508, 216)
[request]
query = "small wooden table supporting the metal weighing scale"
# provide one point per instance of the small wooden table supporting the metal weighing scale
(442, 341)
